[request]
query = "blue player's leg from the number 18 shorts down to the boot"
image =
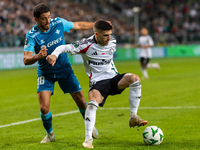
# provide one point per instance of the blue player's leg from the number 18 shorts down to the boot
(45, 88)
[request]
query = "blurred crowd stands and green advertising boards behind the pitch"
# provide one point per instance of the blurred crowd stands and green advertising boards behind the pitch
(173, 25)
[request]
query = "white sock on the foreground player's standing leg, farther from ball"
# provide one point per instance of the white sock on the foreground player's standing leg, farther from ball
(90, 117)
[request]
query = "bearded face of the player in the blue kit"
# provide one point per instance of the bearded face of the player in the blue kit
(43, 22)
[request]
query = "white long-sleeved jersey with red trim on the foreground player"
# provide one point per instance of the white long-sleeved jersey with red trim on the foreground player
(98, 60)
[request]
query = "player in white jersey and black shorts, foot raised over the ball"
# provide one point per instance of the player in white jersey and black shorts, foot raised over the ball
(97, 53)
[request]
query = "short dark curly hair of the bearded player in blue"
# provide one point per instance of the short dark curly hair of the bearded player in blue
(39, 9)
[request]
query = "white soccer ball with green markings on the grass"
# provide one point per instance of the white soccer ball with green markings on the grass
(152, 135)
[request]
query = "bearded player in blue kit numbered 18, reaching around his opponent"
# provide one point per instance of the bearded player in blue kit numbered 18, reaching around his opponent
(42, 39)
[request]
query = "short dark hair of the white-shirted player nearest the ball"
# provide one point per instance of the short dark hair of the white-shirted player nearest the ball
(102, 25)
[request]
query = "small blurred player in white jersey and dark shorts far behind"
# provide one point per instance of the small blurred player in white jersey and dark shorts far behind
(146, 42)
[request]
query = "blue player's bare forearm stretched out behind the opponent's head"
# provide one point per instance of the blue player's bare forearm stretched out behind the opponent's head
(82, 25)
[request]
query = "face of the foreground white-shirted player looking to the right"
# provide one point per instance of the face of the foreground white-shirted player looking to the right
(103, 37)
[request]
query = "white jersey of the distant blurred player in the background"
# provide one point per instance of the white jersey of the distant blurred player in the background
(146, 41)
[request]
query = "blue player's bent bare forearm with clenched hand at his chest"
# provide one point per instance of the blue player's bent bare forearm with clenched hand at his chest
(30, 59)
